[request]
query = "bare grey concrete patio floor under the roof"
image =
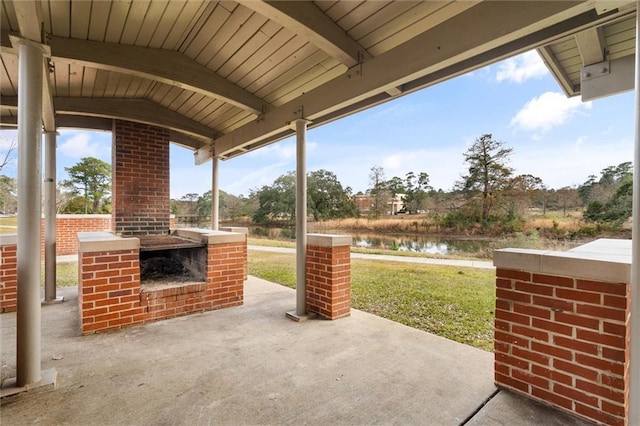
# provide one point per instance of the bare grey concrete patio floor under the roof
(251, 365)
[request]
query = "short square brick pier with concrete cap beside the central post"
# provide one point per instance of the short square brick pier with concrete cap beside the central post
(328, 273)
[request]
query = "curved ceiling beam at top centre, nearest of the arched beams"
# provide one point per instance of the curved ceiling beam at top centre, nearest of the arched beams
(307, 20)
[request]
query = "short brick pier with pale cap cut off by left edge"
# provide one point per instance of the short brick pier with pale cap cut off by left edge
(8, 273)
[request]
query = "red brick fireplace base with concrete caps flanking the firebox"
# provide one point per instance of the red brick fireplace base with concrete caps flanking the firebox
(111, 296)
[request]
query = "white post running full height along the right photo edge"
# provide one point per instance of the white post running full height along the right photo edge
(634, 340)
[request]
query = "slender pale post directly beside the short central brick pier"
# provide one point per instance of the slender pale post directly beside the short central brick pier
(301, 217)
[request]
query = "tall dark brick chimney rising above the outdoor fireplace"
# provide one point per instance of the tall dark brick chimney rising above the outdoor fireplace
(140, 179)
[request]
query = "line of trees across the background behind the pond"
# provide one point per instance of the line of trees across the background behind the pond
(489, 194)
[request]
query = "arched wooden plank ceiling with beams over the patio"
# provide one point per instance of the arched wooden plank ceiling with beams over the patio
(228, 77)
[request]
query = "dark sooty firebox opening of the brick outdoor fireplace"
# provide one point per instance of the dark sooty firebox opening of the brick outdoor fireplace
(177, 261)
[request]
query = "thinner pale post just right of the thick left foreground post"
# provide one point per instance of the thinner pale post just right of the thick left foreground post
(50, 219)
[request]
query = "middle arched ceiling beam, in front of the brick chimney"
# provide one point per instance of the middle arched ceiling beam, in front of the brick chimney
(166, 66)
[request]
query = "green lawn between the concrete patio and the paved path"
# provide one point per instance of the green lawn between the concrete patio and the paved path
(455, 303)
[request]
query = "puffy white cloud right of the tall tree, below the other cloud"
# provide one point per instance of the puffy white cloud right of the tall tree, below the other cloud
(548, 110)
